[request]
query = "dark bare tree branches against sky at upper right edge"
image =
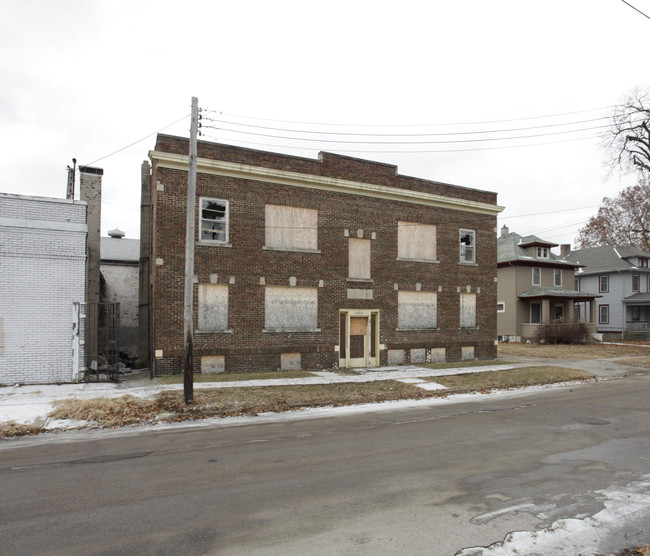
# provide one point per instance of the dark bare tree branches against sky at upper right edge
(627, 138)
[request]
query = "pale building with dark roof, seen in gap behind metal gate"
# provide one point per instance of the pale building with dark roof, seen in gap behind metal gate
(119, 267)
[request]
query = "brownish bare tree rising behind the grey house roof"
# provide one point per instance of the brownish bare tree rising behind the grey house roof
(622, 220)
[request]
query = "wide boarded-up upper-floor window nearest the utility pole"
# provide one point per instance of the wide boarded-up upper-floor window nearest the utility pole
(291, 228)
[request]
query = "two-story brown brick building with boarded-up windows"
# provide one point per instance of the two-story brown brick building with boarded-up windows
(317, 263)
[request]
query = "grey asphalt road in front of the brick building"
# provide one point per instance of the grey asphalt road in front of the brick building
(430, 479)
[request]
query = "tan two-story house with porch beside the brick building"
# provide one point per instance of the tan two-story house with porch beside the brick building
(535, 287)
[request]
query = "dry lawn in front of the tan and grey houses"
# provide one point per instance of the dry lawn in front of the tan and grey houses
(571, 352)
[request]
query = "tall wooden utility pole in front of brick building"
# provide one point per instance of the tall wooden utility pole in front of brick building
(190, 237)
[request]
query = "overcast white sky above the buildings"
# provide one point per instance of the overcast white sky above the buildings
(87, 79)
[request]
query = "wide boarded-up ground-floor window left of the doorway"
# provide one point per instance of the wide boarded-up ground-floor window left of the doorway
(289, 308)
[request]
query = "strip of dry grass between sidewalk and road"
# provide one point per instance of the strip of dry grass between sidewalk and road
(228, 402)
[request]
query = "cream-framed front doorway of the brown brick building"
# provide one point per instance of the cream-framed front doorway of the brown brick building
(358, 338)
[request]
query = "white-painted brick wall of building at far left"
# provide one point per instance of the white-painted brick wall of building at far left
(42, 272)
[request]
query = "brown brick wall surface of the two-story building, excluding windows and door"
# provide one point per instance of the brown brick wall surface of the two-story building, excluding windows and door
(247, 347)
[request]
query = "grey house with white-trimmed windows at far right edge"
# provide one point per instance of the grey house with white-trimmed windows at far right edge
(621, 277)
